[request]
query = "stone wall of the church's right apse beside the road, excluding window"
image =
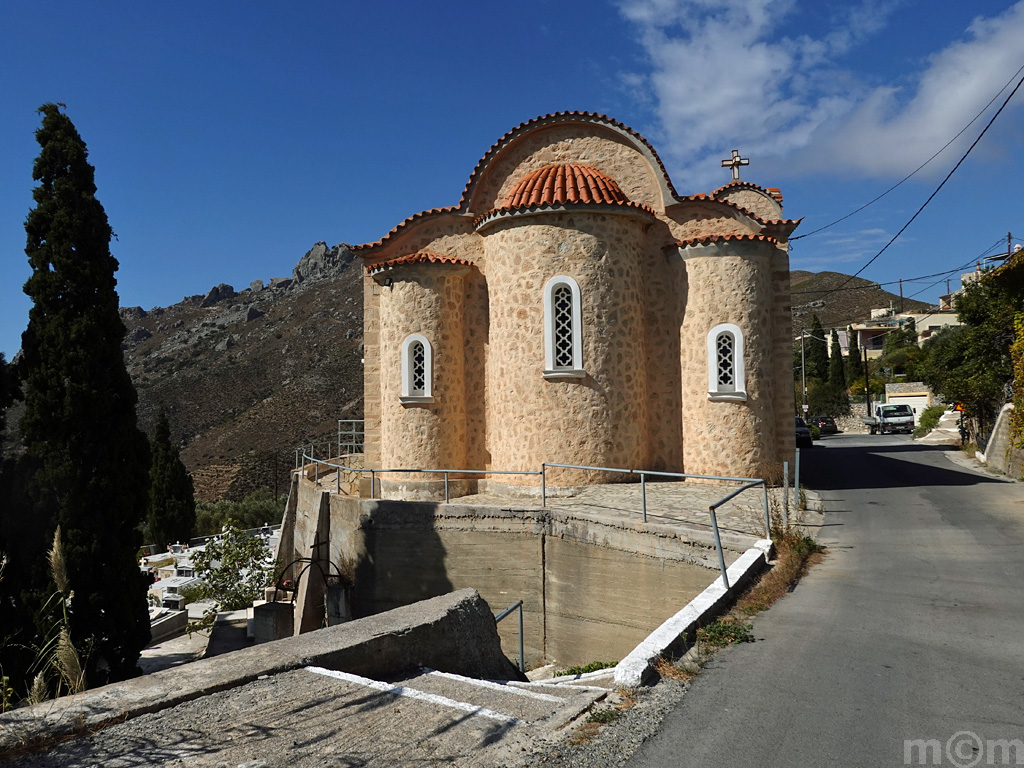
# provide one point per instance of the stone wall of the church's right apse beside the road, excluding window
(729, 438)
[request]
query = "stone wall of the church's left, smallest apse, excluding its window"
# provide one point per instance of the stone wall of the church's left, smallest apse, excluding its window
(425, 435)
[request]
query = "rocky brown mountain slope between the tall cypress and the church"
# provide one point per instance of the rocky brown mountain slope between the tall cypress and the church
(248, 375)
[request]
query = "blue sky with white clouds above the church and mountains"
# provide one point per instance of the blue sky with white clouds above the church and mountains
(230, 138)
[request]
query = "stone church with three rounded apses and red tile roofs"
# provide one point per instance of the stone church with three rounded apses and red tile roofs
(575, 309)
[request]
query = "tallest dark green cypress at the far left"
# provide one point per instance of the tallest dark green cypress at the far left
(91, 459)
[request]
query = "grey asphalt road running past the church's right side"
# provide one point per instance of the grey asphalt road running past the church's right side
(905, 648)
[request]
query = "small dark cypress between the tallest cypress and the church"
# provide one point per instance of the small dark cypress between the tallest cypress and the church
(173, 500)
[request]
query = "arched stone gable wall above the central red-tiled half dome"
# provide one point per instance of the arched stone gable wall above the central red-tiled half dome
(598, 147)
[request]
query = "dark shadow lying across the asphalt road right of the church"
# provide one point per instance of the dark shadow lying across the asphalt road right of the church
(839, 467)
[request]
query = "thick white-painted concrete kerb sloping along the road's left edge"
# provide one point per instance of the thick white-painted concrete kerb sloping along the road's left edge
(632, 670)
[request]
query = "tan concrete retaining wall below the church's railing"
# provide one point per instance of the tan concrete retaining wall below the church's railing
(591, 589)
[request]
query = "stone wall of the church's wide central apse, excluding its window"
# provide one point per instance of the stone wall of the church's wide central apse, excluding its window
(600, 420)
